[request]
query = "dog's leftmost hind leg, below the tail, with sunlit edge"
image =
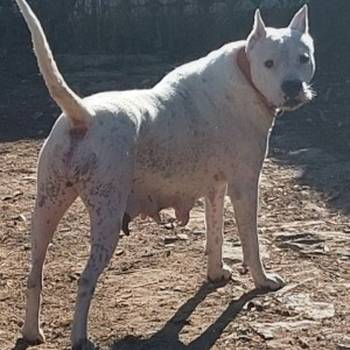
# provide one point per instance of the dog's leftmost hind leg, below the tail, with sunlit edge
(53, 198)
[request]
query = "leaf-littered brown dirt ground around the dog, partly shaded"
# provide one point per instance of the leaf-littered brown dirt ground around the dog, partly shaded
(154, 294)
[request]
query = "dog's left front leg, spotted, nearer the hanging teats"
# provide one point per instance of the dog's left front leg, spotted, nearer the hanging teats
(214, 208)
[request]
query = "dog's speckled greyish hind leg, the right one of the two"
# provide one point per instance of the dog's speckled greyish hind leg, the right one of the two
(106, 208)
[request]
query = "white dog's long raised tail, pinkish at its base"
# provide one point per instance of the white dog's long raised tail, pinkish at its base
(70, 103)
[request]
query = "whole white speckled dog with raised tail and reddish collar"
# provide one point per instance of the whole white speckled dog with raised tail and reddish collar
(202, 131)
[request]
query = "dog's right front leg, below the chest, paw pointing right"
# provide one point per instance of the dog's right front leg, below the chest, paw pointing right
(243, 192)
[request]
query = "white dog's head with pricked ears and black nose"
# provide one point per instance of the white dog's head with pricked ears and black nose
(282, 61)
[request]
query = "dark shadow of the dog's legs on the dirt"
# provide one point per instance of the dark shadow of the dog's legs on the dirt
(168, 336)
